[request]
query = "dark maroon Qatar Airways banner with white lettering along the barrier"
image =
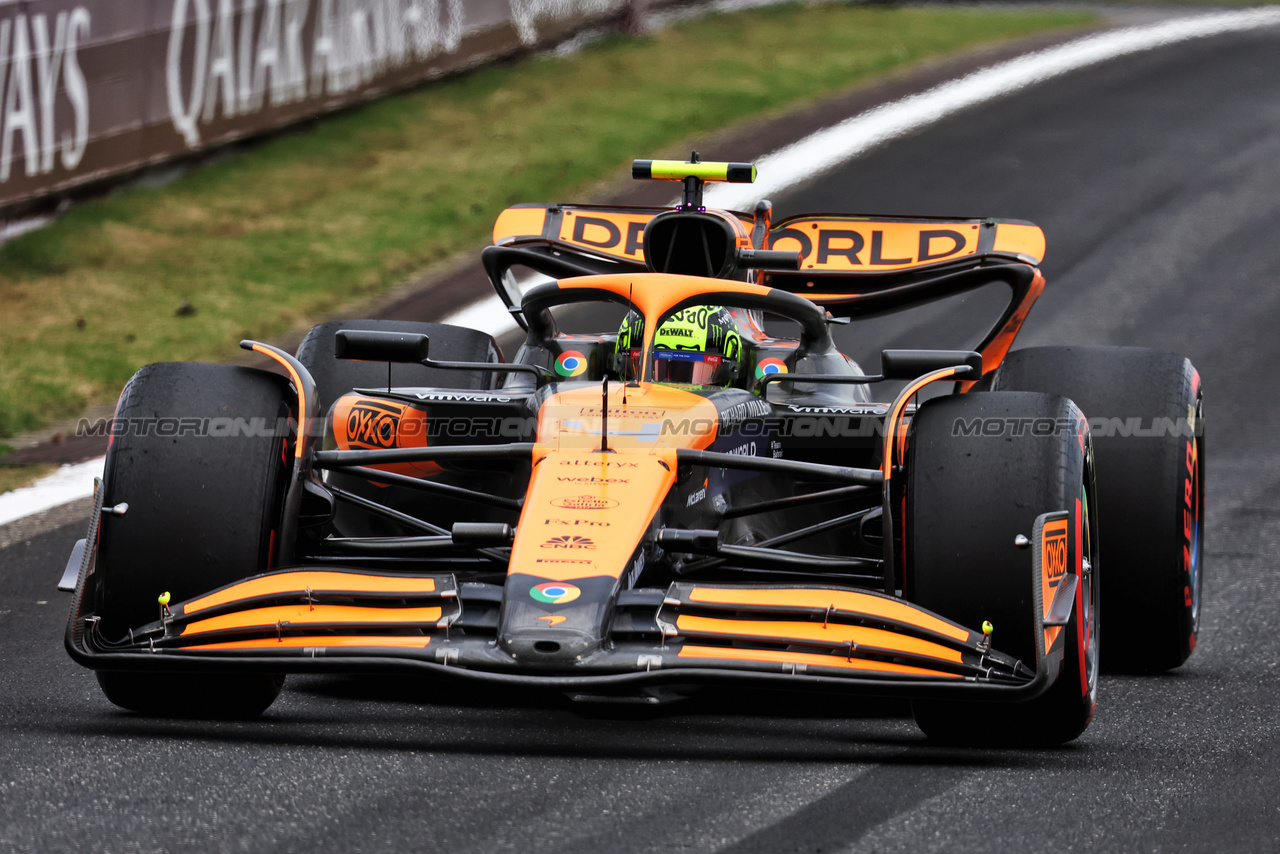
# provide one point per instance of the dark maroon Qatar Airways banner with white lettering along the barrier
(98, 88)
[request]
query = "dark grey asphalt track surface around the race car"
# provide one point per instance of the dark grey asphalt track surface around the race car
(1158, 181)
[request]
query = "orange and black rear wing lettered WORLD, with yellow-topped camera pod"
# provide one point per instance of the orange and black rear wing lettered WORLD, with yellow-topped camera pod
(852, 266)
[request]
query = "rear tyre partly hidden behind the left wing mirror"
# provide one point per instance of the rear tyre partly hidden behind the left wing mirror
(336, 377)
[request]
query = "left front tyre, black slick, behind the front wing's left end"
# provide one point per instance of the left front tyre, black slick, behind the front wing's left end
(203, 471)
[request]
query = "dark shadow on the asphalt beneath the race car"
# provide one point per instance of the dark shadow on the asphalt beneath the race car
(435, 716)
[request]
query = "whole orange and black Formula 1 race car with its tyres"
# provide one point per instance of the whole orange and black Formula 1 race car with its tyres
(701, 491)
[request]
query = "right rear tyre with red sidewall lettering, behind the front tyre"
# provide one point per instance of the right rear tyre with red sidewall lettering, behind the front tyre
(1146, 412)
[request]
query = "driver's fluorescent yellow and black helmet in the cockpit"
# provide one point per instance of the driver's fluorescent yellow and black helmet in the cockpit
(698, 346)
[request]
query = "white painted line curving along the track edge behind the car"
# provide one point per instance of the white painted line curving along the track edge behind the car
(803, 161)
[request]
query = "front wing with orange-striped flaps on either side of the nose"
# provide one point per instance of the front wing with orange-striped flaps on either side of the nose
(787, 637)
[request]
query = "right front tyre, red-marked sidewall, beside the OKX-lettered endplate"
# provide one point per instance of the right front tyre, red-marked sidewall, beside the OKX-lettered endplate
(981, 469)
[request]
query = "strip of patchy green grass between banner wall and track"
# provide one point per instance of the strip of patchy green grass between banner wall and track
(324, 218)
